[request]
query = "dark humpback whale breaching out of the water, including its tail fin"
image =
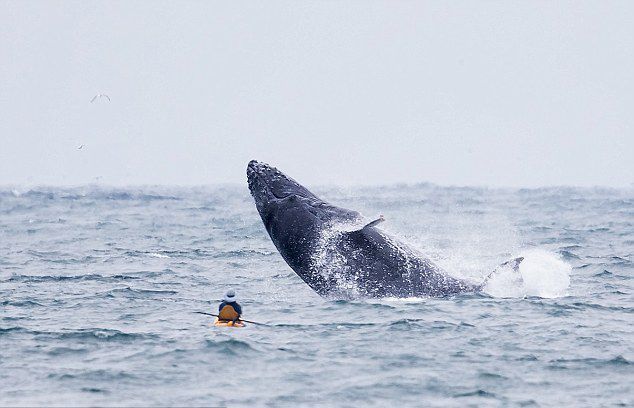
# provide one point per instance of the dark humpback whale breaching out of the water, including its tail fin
(335, 252)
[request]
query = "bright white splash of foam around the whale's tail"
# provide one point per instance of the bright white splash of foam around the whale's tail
(541, 274)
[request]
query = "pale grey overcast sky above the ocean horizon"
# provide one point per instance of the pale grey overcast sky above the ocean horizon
(497, 93)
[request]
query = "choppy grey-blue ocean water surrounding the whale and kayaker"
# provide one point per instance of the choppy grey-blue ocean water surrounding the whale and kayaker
(98, 289)
